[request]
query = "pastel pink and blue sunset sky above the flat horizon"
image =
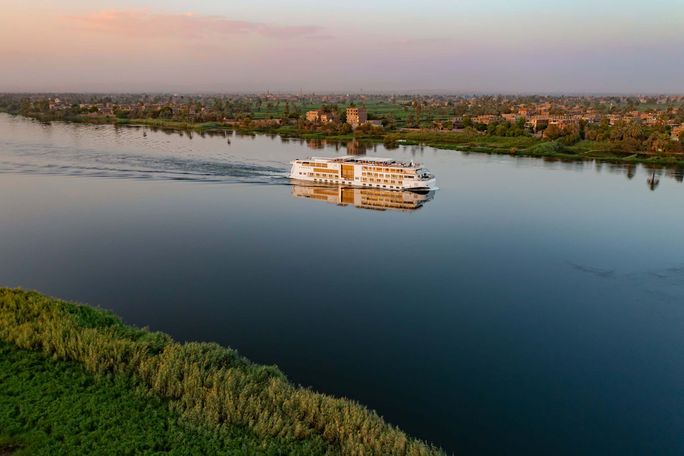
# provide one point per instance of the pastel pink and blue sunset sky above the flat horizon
(319, 46)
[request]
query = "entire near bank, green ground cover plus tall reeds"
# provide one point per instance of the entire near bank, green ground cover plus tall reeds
(77, 376)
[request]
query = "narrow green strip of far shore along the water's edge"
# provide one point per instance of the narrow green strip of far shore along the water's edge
(521, 146)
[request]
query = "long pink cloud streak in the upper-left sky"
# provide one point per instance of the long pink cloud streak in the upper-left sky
(143, 23)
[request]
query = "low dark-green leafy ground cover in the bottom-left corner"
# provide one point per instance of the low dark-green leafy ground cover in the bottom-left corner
(52, 407)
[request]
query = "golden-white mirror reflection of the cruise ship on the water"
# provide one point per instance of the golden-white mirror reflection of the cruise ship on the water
(364, 198)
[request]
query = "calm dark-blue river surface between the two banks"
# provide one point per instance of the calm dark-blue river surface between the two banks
(528, 307)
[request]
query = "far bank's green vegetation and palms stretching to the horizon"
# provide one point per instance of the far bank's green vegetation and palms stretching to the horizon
(412, 120)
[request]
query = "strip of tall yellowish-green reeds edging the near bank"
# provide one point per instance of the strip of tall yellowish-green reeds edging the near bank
(205, 385)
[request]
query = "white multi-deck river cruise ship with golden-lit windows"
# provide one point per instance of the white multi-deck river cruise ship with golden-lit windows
(373, 172)
